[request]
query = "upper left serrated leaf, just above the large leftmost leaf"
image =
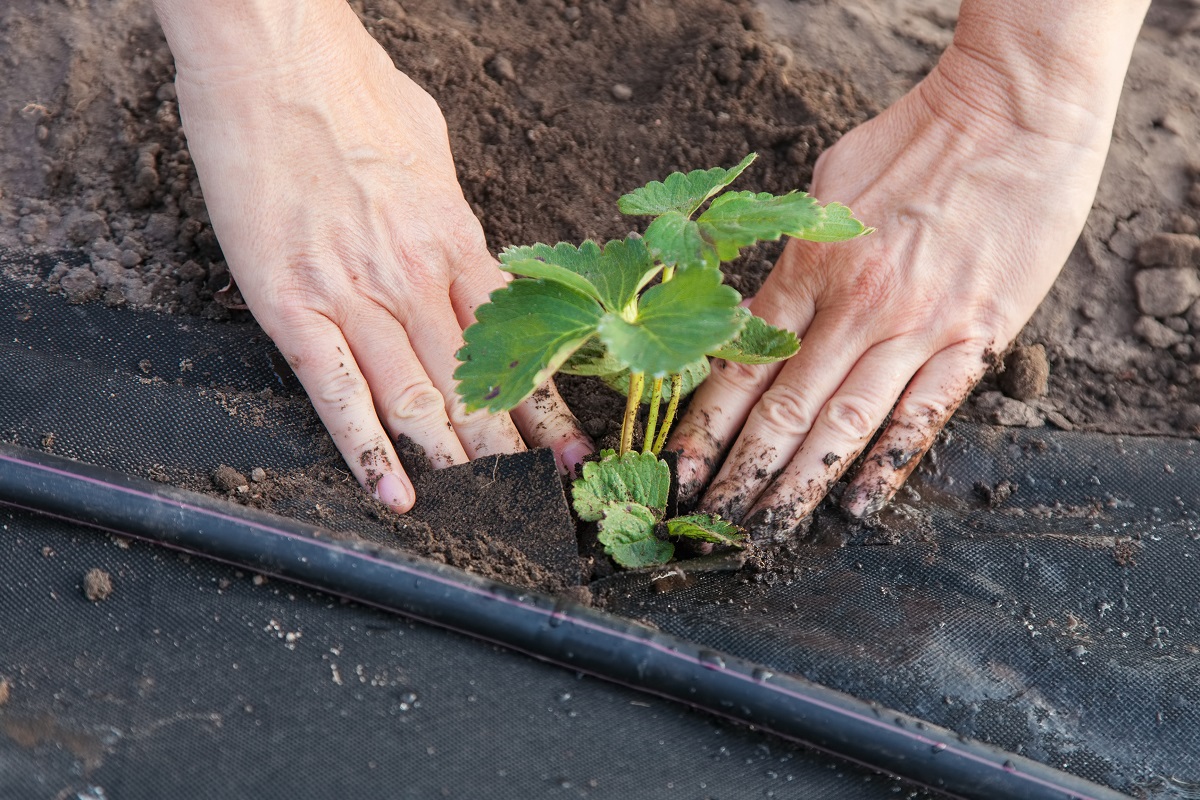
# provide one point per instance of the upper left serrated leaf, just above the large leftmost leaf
(616, 274)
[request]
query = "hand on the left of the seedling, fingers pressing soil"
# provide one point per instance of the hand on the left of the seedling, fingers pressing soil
(331, 185)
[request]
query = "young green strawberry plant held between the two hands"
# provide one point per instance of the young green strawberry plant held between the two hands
(587, 311)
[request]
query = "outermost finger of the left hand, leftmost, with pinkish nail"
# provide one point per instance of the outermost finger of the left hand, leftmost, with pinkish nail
(322, 359)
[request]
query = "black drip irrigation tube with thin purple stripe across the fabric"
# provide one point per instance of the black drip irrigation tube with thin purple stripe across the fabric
(556, 631)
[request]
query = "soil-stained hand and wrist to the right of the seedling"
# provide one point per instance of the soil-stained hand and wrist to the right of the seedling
(979, 183)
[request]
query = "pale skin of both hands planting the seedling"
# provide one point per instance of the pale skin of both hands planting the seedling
(332, 189)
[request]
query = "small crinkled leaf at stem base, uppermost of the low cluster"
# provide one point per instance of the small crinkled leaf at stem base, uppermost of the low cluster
(634, 478)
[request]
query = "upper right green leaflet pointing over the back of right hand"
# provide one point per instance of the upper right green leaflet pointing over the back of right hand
(737, 220)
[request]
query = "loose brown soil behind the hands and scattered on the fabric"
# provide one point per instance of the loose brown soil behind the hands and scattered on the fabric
(556, 109)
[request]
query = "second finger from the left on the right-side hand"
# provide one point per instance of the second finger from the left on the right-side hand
(784, 416)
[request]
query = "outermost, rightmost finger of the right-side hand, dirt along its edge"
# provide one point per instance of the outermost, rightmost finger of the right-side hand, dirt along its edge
(932, 399)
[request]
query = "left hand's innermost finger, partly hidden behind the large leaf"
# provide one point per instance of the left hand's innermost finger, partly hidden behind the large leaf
(543, 419)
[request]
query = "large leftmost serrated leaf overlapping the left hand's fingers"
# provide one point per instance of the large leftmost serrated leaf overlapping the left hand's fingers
(519, 340)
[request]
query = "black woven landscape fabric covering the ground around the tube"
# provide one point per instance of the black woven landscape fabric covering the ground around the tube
(1034, 590)
